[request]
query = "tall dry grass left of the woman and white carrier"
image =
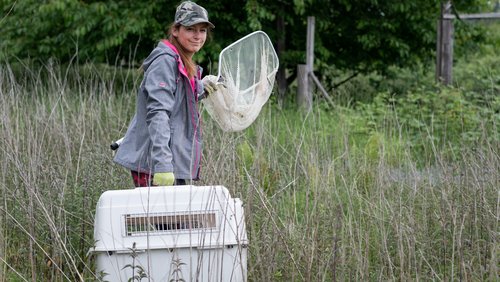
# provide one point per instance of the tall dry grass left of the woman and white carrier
(55, 129)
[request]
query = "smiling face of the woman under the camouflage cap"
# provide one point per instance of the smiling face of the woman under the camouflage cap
(192, 37)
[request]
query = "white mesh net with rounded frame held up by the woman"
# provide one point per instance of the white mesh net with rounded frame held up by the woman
(247, 70)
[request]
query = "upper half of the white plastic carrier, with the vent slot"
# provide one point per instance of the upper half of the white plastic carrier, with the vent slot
(168, 217)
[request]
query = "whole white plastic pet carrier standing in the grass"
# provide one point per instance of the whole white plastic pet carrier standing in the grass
(181, 233)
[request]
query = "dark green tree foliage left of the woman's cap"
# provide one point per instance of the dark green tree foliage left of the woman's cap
(91, 30)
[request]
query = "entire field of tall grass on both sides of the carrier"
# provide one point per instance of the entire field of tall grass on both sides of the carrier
(328, 196)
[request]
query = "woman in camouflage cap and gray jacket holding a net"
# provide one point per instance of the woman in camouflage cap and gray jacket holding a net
(162, 145)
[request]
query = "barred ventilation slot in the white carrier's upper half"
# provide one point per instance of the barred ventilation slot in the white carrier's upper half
(139, 224)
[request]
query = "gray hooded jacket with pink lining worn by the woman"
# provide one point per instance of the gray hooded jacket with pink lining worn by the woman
(165, 133)
